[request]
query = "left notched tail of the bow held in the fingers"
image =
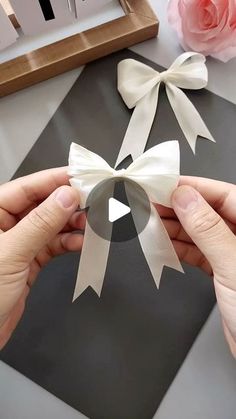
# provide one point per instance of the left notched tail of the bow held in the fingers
(93, 263)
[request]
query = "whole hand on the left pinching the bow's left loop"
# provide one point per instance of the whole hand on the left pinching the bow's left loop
(37, 220)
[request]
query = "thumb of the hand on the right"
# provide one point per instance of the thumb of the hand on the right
(208, 231)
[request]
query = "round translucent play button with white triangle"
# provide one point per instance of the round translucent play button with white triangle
(118, 209)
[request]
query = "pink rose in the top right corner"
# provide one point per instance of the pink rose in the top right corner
(205, 26)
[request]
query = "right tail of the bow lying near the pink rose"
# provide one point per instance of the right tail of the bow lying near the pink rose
(187, 116)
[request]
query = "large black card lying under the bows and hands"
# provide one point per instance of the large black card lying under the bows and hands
(115, 357)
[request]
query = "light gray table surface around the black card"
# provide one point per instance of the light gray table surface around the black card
(205, 384)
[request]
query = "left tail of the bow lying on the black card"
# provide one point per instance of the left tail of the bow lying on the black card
(139, 127)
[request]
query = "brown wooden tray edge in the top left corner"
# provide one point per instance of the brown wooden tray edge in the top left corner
(138, 24)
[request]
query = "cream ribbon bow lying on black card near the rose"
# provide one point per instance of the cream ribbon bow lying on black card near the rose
(139, 87)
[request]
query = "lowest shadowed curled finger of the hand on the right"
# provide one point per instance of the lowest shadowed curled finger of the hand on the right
(191, 255)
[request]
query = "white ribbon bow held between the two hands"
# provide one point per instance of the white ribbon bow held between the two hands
(157, 172)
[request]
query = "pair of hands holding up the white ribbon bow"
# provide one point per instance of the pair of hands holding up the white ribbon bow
(38, 217)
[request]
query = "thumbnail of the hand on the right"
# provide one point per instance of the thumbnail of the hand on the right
(185, 197)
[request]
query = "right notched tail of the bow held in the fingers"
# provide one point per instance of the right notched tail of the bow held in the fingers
(157, 247)
